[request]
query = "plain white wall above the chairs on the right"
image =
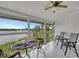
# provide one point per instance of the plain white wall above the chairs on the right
(67, 19)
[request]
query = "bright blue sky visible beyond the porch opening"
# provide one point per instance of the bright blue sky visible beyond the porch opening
(6, 23)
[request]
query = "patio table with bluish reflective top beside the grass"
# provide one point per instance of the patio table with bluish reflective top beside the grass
(24, 46)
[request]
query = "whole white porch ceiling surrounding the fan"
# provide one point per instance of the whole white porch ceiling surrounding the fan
(36, 8)
